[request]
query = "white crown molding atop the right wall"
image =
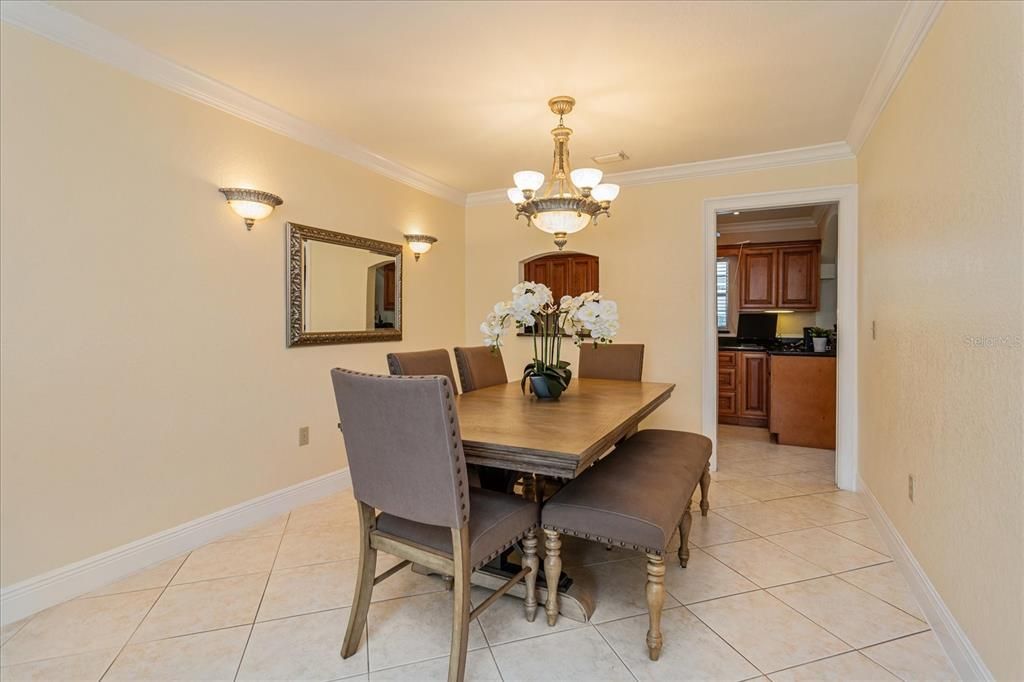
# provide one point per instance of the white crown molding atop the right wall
(912, 28)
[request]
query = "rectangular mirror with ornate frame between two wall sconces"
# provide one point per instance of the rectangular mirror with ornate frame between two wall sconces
(342, 288)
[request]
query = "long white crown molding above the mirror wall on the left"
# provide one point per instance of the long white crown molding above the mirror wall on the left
(99, 44)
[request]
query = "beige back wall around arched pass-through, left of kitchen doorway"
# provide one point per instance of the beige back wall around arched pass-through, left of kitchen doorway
(652, 251)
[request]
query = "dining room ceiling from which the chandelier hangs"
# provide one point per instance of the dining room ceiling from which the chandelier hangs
(458, 91)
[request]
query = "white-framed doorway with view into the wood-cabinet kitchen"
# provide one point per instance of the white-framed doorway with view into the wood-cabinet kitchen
(780, 372)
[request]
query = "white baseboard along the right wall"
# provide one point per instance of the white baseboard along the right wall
(962, 654)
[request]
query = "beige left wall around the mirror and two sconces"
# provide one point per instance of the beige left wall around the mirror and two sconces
(146, 379)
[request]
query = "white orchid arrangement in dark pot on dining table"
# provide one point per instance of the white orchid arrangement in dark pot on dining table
(534, 307)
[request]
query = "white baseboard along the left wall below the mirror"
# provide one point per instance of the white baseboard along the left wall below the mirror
(35, 594)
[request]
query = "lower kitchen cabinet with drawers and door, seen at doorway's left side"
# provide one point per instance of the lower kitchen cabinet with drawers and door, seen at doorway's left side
(743, 388)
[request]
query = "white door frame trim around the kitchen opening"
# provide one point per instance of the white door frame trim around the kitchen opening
(846, 314)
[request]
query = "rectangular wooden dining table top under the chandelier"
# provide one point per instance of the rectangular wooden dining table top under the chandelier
(503, 429)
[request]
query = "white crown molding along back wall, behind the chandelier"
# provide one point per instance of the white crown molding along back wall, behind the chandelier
(752, 162)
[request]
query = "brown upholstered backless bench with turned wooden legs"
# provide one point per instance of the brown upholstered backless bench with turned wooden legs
(634, 498)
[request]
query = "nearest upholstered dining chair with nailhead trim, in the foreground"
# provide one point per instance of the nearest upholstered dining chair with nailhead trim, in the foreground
(406, 459)
